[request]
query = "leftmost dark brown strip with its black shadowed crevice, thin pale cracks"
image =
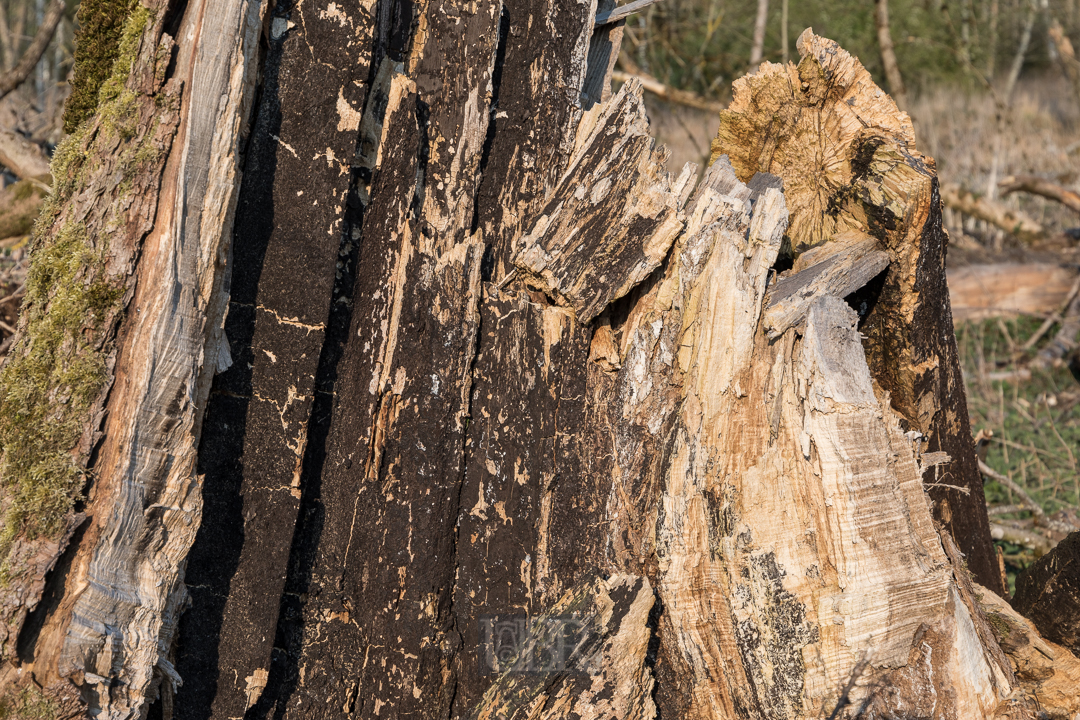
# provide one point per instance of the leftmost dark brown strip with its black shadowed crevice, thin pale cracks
(288, 242)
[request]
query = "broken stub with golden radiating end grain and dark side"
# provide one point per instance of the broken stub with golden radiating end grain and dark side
(848, 161)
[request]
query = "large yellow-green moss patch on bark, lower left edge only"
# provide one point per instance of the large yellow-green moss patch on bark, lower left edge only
(49, 384)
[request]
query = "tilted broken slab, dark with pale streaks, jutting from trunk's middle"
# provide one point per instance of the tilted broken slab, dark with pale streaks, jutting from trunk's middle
(587, 250)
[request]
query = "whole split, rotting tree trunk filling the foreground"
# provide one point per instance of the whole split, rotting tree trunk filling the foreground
(506, 422)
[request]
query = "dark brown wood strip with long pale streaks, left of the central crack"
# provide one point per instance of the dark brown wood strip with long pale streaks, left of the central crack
(416, 290)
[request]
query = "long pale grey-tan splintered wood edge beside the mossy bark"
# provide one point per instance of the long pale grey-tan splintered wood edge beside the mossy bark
(146, 464)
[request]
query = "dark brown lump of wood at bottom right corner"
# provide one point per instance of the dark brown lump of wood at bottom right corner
(1049, 594)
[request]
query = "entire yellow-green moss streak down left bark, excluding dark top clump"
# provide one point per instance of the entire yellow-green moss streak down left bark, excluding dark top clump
(59, 370)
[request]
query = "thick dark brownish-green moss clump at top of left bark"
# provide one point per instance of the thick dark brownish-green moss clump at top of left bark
(98, 46)
